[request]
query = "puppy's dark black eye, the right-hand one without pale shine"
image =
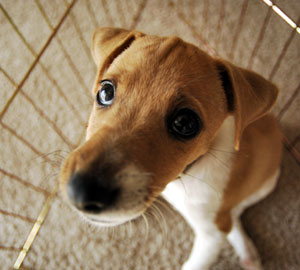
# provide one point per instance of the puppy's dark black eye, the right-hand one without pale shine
(184, 124)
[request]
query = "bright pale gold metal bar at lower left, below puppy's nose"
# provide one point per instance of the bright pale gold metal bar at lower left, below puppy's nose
(35, 229)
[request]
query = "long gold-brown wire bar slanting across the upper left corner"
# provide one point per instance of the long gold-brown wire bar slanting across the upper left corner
(18, 88)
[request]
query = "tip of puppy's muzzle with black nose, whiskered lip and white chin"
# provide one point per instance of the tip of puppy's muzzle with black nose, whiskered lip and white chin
(106, 199)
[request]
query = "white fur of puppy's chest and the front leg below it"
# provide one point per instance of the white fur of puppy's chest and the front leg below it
(198, 196)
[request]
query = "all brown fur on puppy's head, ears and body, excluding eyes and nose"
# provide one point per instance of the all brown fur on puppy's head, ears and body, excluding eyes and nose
(153, 76)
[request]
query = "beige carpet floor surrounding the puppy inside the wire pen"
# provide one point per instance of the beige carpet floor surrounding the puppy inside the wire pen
(45, 119)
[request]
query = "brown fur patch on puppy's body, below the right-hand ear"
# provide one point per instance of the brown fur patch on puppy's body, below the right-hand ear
(257, 160)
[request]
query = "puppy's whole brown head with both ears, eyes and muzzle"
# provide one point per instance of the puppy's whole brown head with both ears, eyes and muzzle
(159, 103)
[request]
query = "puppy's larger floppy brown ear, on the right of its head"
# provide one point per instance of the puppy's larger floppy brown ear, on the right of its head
(249, 96)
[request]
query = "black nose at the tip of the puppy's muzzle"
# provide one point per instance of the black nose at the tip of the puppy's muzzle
(88, 193)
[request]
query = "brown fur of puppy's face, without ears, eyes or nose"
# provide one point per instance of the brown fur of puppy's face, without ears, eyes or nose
(135, 124)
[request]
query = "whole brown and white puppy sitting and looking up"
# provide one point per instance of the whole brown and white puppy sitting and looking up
(166, 110)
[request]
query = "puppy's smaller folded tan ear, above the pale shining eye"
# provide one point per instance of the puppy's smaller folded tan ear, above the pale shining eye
(109, 43)
